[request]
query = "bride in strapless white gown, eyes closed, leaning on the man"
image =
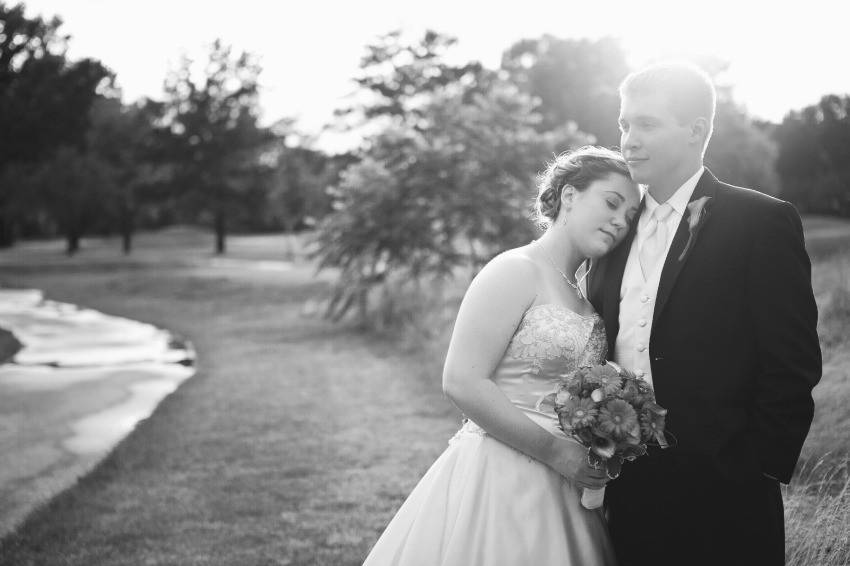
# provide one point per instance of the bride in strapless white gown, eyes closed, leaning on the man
(507, 489)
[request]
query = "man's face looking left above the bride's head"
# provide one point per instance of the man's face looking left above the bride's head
(653, 140)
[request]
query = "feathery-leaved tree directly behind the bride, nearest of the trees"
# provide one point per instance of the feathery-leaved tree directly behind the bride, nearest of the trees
(444, 188)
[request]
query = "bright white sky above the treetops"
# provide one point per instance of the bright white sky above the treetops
(782, 57)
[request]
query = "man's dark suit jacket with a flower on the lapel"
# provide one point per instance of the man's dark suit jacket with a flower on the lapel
(734, 347)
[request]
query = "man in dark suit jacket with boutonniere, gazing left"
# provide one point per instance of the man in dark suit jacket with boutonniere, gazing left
(709, 298)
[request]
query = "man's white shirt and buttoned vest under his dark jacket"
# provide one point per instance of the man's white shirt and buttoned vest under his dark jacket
(637, 295)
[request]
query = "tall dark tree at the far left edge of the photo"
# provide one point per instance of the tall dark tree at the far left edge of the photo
(44, 102)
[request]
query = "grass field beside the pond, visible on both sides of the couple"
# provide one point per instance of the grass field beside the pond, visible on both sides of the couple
(298, 439)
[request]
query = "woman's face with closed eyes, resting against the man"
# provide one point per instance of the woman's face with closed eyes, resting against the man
(599, 216)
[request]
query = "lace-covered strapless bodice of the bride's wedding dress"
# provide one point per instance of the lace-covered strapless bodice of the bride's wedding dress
(551, 340)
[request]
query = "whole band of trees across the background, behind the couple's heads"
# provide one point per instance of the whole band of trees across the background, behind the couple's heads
(452, 149)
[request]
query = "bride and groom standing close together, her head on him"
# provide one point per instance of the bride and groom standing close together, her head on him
(701, 288)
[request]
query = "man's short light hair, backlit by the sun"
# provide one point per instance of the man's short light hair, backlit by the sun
(690, 91)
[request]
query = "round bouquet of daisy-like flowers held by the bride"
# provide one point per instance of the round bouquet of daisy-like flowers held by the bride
(613, 413)
